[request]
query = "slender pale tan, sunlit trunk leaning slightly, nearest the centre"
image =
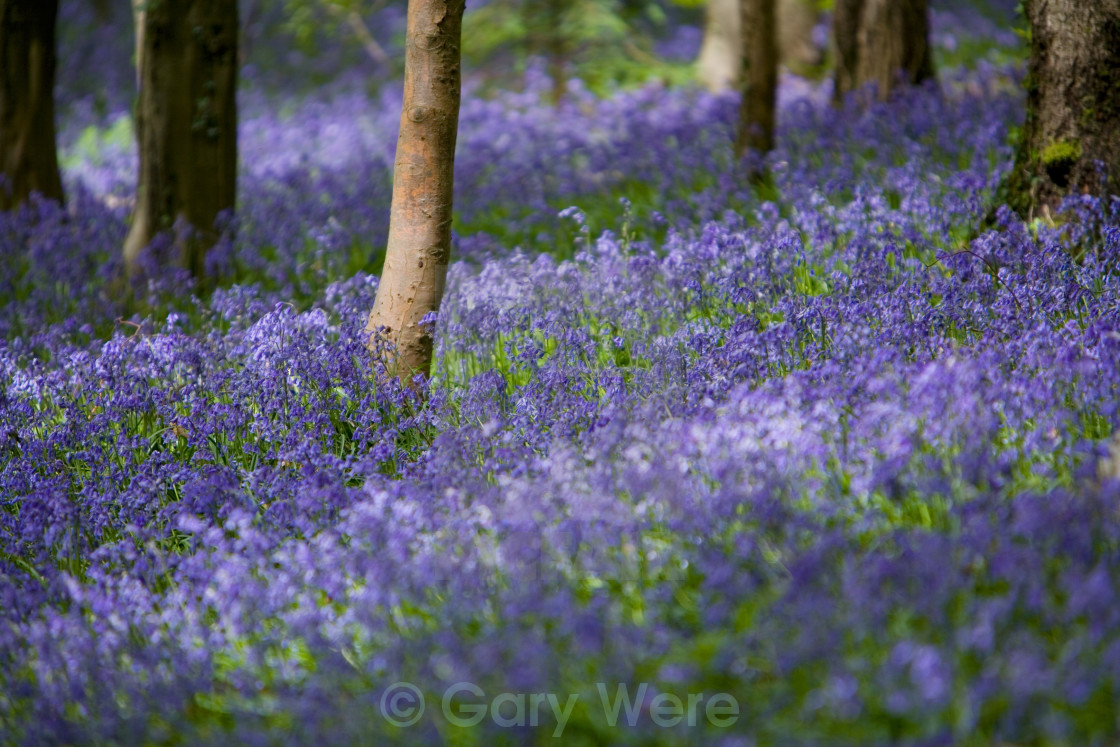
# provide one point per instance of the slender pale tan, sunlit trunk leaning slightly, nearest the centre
(421, 226)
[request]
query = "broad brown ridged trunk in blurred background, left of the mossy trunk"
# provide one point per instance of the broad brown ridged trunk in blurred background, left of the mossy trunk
(882, 42)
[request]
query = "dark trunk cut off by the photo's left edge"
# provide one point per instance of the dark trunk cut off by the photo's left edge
(29, 160)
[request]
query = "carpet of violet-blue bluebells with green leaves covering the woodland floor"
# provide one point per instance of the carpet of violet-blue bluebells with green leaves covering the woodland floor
(829, 444)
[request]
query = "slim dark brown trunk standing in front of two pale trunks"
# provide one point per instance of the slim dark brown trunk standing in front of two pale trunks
(760, 55)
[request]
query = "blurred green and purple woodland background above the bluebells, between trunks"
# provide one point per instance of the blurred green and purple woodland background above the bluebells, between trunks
(297, 48)
